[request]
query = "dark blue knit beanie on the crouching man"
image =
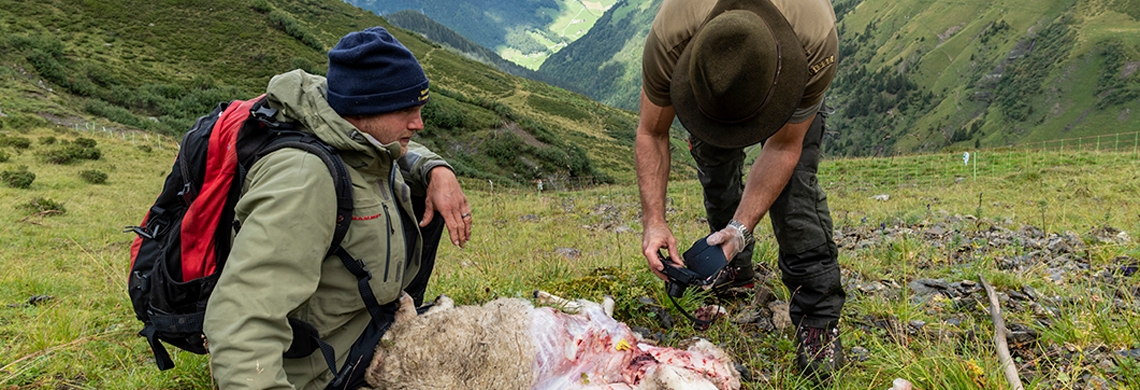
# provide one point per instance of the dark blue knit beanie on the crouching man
(370, 74)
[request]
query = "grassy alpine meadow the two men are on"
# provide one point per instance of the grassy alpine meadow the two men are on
(67, 322)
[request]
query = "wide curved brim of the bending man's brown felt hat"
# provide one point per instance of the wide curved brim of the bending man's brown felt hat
(785, 97)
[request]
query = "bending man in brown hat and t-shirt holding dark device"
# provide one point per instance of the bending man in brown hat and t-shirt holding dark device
(739, 74)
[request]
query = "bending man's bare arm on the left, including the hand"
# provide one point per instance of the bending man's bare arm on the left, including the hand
(653, 159)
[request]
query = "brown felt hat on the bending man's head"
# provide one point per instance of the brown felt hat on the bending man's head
(742, 77)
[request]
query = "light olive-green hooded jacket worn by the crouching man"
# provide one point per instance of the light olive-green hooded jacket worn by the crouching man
(278, 269)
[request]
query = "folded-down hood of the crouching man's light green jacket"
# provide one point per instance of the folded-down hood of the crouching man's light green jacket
(302, 97)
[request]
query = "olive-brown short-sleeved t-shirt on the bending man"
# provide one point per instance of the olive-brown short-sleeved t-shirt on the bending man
(679, 21)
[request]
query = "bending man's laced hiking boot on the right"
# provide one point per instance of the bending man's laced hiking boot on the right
(820, 353)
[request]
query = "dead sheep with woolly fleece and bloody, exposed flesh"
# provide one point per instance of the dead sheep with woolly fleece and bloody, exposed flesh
(509, 344)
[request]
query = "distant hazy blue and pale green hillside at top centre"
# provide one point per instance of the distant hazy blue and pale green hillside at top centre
(524, 32)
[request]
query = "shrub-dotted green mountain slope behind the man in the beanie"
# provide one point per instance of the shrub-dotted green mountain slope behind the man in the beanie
(157, 67)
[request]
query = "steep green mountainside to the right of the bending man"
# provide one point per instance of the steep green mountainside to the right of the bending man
(950, 50)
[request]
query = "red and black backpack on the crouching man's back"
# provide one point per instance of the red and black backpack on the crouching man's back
(185, 238)
